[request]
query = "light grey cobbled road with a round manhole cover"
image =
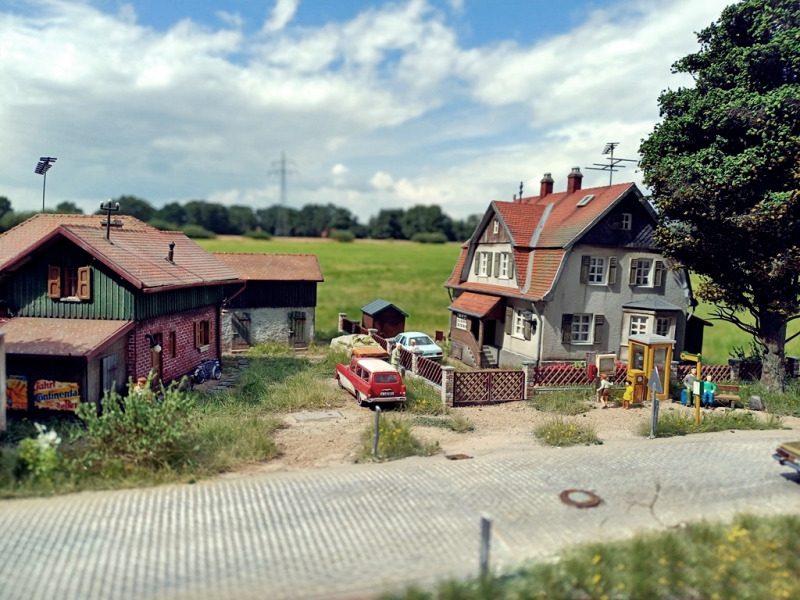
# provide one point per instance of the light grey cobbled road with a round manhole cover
(356, 530)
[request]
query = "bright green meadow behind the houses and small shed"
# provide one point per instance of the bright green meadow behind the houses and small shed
(411, 276)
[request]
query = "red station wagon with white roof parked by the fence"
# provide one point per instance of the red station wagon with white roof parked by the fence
(371, 380)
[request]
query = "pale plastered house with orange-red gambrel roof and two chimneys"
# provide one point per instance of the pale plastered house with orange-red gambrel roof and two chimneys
(566, 276)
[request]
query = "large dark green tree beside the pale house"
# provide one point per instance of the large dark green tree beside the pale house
(724, 168)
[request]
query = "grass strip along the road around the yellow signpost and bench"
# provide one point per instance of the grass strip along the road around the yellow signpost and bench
(674, 423)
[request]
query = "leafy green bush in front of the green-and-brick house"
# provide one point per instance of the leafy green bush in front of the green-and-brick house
(140, 429)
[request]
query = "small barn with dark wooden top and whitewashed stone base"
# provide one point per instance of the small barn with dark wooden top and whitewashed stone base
(277, 303)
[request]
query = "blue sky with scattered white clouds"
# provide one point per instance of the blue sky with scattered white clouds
(364, 104)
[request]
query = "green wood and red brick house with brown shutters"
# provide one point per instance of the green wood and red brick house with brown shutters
(86, 304)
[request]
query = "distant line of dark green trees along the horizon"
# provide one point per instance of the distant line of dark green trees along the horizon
(199, 218)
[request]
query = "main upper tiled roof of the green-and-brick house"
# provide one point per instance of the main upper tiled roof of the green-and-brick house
(136, 251)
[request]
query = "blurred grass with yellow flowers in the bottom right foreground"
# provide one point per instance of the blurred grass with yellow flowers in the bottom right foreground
(752, 557)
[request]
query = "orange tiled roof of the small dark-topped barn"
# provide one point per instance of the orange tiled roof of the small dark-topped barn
(273, 267)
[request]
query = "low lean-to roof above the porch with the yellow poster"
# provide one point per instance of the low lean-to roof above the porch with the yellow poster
(61, 337)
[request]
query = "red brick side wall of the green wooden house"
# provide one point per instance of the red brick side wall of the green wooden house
(186, 357)
